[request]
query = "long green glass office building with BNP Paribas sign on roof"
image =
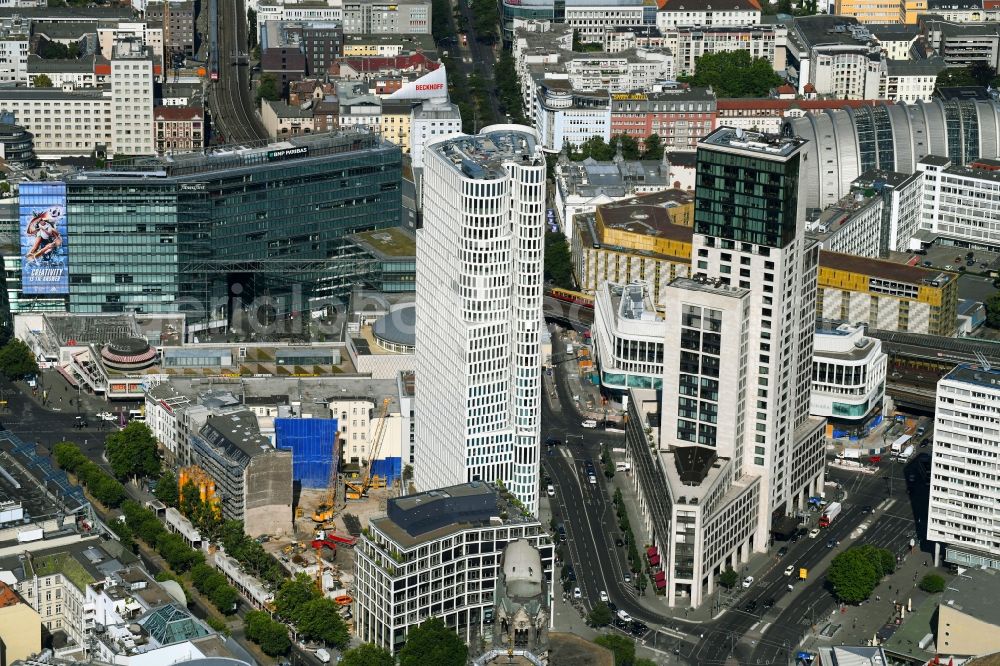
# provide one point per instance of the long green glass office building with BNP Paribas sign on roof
(191, 232)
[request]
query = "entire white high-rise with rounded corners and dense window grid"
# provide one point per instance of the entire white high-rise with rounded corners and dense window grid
(479, 312)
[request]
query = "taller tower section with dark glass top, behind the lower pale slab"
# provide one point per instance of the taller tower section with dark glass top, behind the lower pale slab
(749, 233)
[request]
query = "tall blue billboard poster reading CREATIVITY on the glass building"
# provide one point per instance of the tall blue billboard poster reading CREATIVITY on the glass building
(44, 252)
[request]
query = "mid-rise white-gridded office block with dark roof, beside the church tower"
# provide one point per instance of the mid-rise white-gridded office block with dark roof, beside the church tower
(437, 554)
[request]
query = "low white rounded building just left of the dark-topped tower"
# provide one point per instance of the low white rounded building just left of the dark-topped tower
(628, 337)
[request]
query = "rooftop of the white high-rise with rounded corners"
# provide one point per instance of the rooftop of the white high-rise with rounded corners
(482, 156)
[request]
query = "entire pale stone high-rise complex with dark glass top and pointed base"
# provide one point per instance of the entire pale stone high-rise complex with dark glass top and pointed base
(742, 453)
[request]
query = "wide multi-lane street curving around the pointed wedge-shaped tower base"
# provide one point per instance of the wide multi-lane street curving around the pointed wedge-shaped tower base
(769, 636)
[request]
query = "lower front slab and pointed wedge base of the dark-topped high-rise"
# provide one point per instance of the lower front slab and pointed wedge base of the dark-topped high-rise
(696, 494)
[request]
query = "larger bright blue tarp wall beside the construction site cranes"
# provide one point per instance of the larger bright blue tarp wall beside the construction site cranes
(311, 443)
